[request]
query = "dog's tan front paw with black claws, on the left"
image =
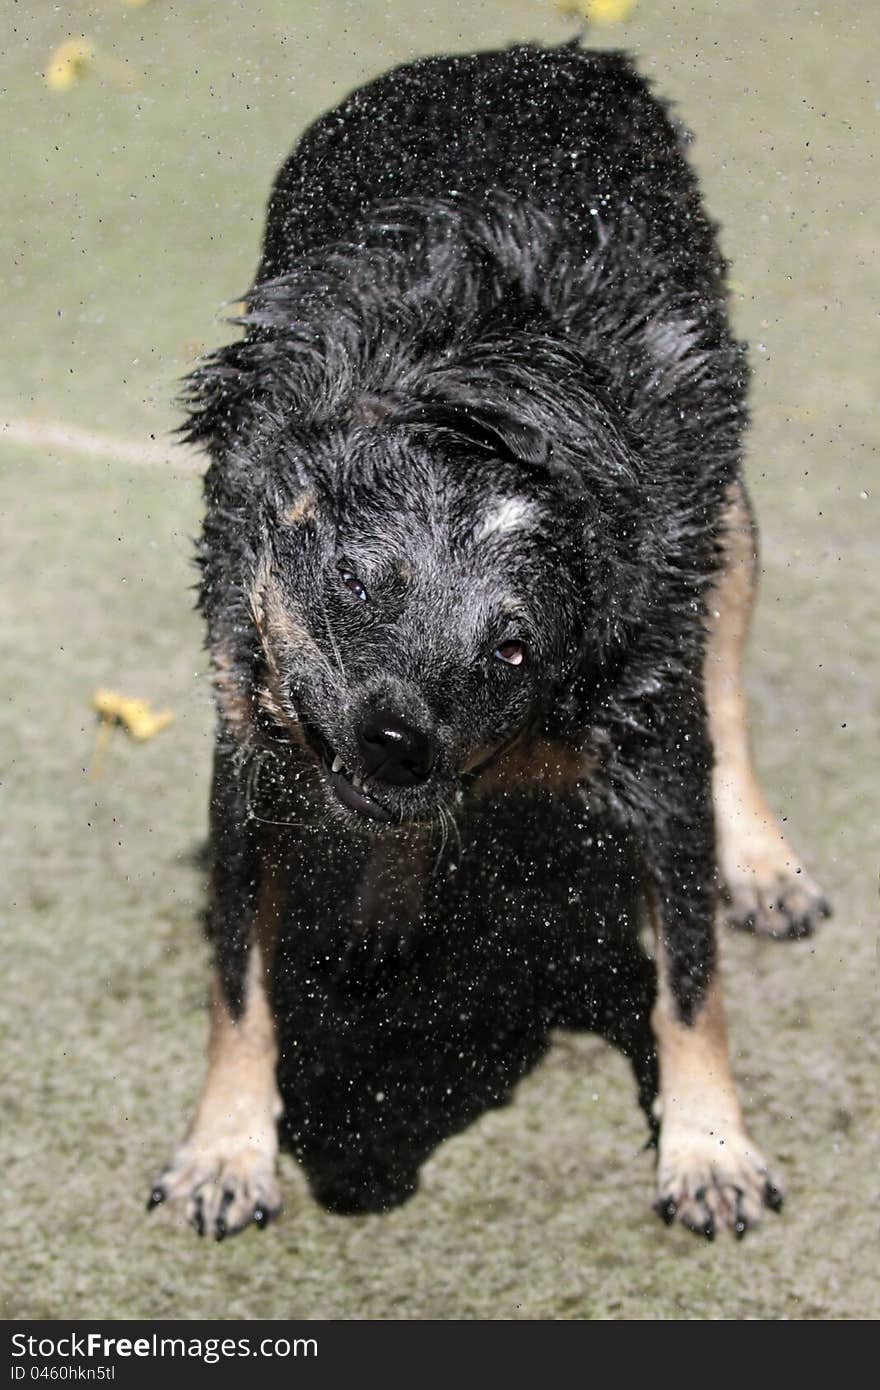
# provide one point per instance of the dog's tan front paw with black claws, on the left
(220, 1191)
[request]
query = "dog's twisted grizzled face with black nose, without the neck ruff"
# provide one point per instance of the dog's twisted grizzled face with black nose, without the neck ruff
(415, 612)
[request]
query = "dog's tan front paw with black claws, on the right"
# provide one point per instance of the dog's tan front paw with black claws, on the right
(712, 1186)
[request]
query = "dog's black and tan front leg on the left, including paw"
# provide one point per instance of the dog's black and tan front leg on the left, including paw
(223, 1175)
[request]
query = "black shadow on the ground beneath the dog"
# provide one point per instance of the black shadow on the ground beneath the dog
(389, 1046)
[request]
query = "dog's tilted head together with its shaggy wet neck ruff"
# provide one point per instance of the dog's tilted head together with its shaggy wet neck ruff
(430, 518)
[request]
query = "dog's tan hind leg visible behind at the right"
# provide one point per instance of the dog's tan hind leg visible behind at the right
(767, 890)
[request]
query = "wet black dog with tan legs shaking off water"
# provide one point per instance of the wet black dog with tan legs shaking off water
(476, 523)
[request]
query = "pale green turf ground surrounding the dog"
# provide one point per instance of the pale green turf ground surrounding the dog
(130, 218)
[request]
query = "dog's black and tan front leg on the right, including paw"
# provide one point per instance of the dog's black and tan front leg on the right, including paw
(711, 1175)
